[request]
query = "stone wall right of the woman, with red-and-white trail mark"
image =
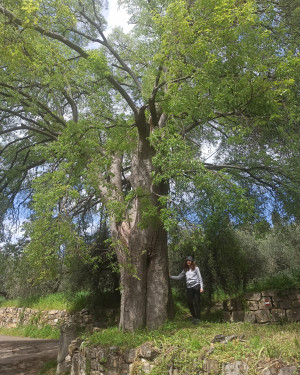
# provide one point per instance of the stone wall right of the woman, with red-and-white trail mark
(264, 307)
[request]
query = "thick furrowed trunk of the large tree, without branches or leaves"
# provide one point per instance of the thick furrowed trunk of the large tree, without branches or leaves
(142, 247)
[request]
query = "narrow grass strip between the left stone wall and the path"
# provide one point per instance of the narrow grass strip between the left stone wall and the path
(45, 332)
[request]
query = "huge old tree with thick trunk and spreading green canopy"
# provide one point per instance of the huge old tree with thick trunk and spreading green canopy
(124, 121)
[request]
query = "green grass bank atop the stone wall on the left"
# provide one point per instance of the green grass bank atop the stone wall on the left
(57, 301)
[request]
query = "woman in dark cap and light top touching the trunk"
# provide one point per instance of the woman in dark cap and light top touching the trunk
(194, 286)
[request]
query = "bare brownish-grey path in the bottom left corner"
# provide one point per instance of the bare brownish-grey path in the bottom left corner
(25, 356)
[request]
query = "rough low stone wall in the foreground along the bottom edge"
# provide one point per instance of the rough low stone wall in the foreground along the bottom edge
(83, 360)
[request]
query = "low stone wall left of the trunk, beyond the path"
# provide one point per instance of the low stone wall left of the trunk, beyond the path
(14, 316)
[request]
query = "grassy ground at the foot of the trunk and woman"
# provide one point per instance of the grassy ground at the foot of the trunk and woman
(183, 345)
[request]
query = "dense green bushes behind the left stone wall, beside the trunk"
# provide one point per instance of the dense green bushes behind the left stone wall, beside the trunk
(49, 266)
